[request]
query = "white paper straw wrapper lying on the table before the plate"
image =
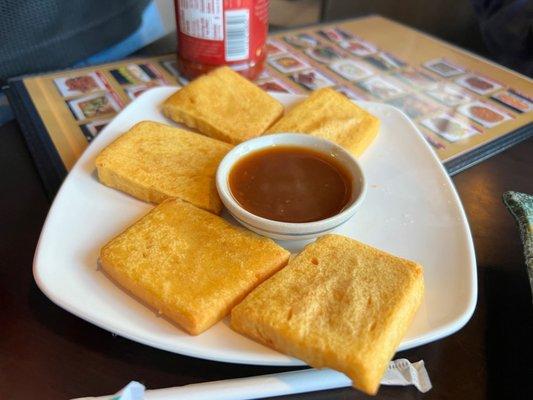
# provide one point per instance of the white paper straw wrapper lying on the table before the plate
(400, 372)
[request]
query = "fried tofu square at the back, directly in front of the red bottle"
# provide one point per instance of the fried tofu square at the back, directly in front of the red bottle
(224, 105)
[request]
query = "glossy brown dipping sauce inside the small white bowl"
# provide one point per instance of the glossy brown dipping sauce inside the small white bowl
(290, 184)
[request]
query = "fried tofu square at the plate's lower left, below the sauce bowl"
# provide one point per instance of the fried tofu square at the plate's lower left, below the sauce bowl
(190, 265)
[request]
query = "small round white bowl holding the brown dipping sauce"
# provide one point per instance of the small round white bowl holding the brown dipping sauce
(290, 230)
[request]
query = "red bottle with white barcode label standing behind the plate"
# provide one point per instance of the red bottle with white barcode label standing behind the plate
(212, 33)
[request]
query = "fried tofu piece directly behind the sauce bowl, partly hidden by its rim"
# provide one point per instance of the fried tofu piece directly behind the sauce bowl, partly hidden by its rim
(331, 115)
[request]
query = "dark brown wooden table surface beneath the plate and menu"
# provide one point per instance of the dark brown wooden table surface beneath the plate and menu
(47, 353)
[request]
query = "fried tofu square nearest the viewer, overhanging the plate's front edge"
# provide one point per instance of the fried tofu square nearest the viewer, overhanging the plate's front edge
(339, 304)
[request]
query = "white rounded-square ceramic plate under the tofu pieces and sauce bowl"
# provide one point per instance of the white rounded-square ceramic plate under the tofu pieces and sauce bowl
(411, 210)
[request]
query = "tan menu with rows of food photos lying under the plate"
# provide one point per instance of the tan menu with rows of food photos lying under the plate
(466, 107)
